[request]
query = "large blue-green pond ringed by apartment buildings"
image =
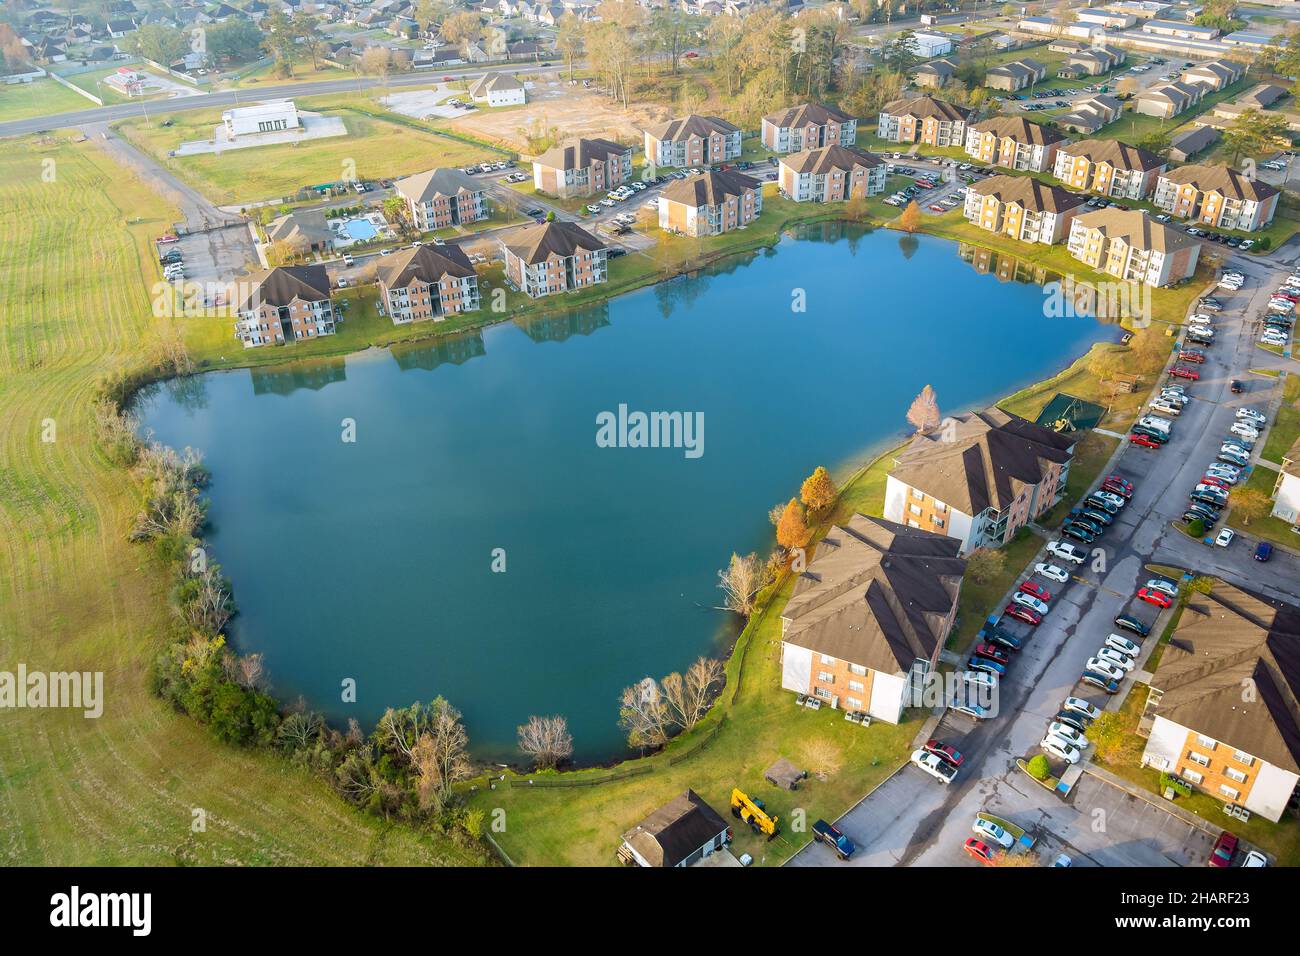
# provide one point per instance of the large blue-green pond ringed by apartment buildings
(380, 560)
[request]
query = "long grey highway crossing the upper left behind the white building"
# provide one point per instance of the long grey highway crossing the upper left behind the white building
(105, 115)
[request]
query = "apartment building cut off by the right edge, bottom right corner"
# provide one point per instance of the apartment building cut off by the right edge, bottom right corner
(1223, 712)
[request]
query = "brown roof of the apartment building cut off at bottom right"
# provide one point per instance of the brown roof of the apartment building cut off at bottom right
(1229, 642)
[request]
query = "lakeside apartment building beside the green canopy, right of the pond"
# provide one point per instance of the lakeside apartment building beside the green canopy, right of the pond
(980, 478)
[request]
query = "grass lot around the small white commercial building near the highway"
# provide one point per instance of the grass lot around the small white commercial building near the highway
(376, 148)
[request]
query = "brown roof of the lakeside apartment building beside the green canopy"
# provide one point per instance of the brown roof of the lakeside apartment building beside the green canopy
(985, 461)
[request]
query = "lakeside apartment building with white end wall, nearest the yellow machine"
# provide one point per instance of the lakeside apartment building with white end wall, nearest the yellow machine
(869, 617)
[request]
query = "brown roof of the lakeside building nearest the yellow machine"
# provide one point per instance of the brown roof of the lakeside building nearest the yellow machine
(877, 594)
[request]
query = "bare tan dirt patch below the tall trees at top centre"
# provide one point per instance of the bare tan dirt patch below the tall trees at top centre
(574, 113)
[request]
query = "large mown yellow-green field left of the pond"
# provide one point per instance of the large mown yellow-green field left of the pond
(75, 596)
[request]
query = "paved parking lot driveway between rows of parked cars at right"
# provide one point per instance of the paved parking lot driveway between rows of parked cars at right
(913, 820)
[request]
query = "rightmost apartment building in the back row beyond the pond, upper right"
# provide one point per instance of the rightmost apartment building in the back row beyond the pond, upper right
(1219, 197)
